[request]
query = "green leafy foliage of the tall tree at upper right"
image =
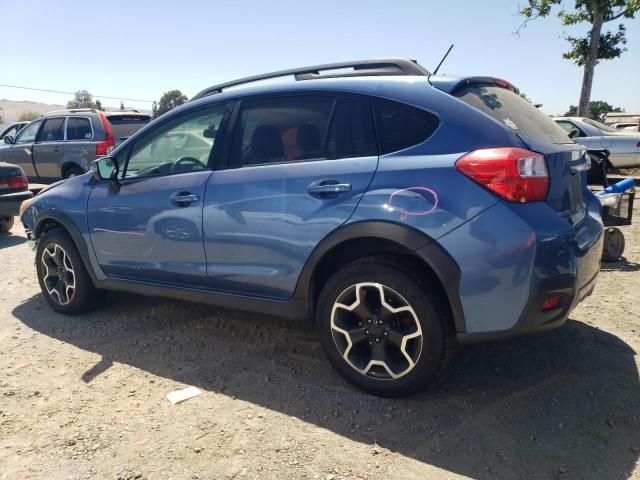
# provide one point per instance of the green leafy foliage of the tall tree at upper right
(584, 11)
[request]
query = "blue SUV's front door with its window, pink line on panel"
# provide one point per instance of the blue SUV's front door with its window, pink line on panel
(150, 229)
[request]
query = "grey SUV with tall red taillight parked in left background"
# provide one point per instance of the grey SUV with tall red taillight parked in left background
(63, 143)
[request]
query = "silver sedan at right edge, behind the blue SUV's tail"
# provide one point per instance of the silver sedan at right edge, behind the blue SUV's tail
(623, 147)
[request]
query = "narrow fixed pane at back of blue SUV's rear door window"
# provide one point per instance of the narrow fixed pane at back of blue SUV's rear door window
(352, 133)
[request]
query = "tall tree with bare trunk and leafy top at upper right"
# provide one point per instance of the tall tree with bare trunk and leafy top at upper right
(587, 51)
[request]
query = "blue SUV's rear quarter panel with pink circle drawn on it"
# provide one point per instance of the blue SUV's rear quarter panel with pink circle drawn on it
(420, 186)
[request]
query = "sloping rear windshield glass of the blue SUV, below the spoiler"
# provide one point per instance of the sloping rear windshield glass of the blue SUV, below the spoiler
(514, 112)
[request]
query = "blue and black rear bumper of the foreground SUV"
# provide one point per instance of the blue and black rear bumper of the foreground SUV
(514, 257)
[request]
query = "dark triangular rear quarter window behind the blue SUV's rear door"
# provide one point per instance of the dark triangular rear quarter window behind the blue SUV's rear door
(401, 126)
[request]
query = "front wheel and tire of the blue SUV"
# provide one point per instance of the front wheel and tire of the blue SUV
(63, 277)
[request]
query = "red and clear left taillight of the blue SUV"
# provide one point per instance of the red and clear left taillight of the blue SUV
(515, 174)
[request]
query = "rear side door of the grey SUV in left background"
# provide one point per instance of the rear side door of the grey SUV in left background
(49, 147)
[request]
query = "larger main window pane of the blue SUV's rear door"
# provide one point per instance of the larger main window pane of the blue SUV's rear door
(281, 129)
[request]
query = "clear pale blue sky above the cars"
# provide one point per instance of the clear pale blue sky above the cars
(138, 49)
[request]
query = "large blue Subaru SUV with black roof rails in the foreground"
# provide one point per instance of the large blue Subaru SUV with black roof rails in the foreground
(400, 211)
